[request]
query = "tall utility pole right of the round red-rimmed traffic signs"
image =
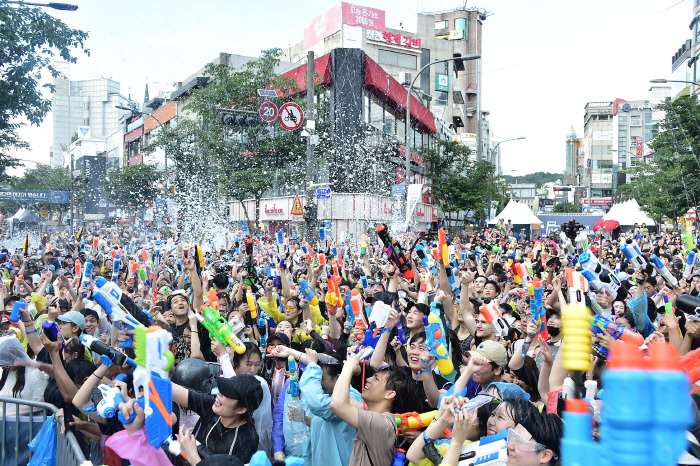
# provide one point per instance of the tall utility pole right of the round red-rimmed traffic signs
(310, 210)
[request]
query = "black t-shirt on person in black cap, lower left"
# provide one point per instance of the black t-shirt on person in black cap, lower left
(240, 442)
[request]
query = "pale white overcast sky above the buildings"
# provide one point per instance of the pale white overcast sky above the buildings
(542, 60)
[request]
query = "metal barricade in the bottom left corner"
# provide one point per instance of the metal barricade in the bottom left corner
(68, 452)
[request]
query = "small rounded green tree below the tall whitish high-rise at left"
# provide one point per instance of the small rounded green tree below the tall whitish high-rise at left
(132, 186)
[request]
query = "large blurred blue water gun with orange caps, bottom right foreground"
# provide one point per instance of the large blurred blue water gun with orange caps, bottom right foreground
(645, 409)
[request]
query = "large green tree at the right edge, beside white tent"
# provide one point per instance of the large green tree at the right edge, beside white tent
(669, 183)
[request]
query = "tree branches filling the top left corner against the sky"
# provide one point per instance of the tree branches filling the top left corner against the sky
(29, 41)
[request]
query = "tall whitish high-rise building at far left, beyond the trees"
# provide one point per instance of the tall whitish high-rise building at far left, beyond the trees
(89, 105)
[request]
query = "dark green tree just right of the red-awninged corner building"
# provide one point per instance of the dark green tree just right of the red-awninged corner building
(458, 183)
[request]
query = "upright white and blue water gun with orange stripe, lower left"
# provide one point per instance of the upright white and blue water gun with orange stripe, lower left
(153, 361)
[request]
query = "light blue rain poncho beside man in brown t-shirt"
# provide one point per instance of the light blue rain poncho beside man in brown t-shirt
(330, 436)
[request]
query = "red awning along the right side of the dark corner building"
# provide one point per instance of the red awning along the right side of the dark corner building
(395, 95)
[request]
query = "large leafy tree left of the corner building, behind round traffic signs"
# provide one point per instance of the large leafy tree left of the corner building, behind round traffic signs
(239, 163)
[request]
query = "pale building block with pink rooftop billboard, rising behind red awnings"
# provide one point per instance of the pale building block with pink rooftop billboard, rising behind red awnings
(403, 50)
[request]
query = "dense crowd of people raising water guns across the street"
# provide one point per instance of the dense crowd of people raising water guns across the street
(339, 352)
